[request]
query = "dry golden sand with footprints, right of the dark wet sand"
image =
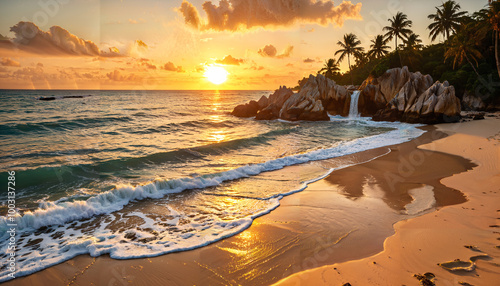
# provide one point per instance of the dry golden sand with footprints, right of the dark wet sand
(422, 247)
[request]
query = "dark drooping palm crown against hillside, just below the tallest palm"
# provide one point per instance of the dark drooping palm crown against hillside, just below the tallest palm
(463, 47)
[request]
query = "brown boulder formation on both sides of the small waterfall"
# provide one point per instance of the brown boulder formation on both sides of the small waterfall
(397, 95)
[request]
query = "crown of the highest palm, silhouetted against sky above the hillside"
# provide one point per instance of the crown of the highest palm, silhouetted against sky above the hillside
(446, 20)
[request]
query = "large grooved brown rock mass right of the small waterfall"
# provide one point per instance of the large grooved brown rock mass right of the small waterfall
(415, 98)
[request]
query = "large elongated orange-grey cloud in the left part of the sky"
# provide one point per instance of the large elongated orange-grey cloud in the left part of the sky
(56, 41)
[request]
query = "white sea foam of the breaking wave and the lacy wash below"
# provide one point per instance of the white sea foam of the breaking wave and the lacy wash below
(146, 244)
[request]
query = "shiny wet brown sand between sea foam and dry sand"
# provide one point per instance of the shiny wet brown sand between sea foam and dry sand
(345, 217)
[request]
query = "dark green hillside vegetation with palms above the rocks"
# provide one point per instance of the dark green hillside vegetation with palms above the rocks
(467, 58)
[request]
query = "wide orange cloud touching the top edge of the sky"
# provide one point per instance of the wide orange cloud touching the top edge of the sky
(241, 15)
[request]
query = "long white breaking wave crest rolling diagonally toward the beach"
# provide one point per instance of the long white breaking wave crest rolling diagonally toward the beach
(115, 199)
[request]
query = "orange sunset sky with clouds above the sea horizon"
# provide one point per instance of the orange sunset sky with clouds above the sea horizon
(113, 44)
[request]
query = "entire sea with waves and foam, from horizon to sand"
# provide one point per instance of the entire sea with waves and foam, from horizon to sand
(145, 173)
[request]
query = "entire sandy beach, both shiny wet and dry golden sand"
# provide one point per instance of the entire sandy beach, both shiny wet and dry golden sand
(361, 219)
